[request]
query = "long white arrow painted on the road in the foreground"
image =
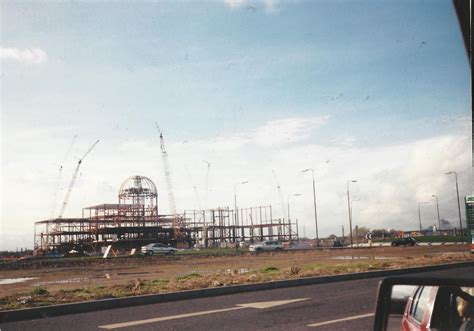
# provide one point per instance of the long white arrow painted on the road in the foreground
(257, 305)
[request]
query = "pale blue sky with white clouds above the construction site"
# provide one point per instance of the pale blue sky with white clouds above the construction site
(373, 91)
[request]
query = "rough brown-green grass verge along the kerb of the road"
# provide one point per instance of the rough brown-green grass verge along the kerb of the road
(40, 296)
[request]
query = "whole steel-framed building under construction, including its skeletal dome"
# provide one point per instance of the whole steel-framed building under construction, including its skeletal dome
(135, 221)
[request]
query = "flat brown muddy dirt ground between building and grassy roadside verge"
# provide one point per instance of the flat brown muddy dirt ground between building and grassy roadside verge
(110, 272)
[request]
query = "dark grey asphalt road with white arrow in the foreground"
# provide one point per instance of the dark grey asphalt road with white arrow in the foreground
(340, 306)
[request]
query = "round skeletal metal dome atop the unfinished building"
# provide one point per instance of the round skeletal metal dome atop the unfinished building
(138, 190)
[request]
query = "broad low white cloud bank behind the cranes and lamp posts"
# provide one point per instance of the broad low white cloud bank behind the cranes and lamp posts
(391, 179)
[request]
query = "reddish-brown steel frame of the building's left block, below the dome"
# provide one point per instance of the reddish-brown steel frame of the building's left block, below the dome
(105, 224)
